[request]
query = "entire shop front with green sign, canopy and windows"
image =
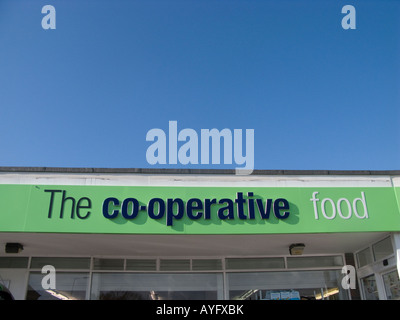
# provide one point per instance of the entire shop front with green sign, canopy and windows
(199, 234)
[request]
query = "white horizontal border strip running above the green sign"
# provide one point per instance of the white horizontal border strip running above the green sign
(203, 180)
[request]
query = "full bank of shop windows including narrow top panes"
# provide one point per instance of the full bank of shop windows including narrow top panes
(194, 279)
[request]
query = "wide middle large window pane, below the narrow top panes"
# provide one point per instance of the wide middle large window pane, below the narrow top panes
(165, 286)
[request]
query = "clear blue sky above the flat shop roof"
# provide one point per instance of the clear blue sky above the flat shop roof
(86, 93)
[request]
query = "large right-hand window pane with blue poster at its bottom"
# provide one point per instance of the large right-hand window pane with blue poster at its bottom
(286, 285)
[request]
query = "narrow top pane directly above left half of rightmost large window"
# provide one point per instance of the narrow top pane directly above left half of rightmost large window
(254, 263)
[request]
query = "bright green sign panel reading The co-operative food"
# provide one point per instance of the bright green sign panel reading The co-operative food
(197, 210)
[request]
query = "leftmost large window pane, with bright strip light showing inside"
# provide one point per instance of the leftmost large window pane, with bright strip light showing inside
(68, 286)
